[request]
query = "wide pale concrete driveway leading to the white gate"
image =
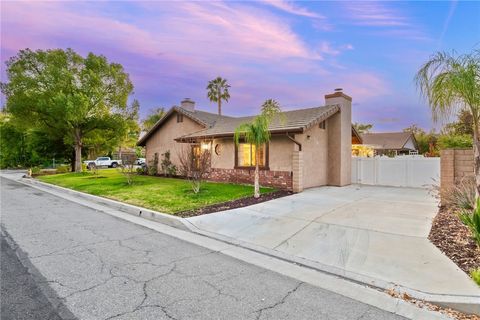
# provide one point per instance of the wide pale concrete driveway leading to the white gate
(376, 235)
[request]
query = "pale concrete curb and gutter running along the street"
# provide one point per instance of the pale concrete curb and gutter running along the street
(364, 290)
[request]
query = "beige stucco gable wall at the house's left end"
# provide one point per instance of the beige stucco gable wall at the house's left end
(163, 139)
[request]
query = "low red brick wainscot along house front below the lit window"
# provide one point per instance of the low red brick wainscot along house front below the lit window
(277, 179)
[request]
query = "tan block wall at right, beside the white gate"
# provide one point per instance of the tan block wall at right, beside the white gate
(455, 164)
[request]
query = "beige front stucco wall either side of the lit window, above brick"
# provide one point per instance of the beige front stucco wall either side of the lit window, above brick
(280, 153)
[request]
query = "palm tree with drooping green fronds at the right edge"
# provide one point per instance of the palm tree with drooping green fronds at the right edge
(450, 83)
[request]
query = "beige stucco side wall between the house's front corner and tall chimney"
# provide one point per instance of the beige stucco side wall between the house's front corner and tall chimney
(315, 156)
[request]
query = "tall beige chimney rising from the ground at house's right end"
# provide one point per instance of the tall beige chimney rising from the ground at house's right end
(339, 127)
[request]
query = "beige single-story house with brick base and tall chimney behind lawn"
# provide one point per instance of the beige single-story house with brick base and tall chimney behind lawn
(310, 147)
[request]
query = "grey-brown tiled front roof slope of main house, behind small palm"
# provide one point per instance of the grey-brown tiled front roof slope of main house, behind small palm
(291, 121)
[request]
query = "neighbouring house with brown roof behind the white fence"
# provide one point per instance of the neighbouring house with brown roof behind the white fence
(391, 143)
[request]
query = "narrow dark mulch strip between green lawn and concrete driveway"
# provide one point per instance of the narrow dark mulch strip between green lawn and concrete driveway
(239, 203)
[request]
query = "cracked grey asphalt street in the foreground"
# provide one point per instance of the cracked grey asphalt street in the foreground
(84, 264)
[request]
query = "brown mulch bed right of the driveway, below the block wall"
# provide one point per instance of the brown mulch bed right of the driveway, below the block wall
(453, 238)
